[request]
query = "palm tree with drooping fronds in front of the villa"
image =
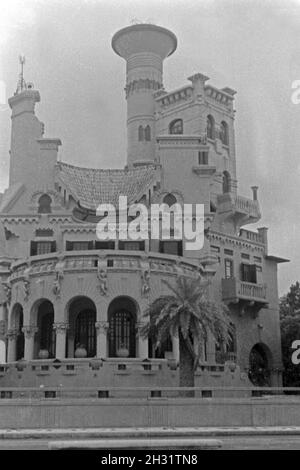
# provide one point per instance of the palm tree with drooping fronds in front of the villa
(190, 316)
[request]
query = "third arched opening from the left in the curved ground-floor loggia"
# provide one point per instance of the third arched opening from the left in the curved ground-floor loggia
(82, 331)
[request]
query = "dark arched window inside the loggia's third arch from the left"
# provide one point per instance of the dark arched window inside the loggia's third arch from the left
(85, 331)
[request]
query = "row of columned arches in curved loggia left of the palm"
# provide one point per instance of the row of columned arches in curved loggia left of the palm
(81, 330)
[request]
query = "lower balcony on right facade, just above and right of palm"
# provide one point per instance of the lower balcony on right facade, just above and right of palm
(235, 291)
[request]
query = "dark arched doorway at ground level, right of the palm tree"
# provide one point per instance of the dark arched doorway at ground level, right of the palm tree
(260, 365)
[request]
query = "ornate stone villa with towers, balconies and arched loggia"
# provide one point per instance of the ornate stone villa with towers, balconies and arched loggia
(65, 294)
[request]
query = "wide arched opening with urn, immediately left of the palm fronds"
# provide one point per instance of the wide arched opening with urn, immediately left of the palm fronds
(122, 314)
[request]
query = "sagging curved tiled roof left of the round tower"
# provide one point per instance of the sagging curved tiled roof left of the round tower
(91, 187)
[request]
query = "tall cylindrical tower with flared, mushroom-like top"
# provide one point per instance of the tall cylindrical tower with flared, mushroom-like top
(144, 47)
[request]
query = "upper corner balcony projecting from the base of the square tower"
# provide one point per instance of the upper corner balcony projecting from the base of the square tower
(241, 209)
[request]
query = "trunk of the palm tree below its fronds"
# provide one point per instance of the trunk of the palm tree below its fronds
(186, 367)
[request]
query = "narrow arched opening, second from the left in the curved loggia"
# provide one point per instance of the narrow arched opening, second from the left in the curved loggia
(45, 338)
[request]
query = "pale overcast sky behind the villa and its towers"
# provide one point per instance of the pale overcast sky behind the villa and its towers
(251, 46)
